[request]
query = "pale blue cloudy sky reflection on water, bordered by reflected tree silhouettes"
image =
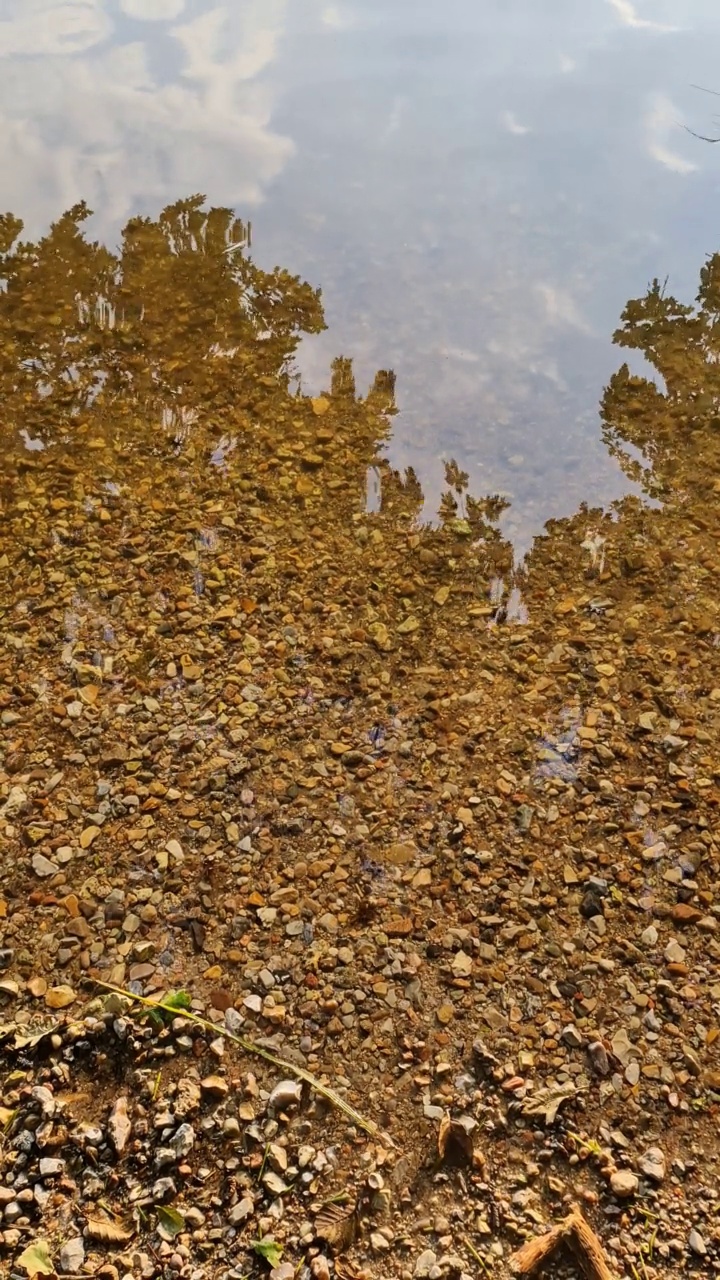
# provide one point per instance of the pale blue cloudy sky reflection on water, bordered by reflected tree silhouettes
(477, 190)
